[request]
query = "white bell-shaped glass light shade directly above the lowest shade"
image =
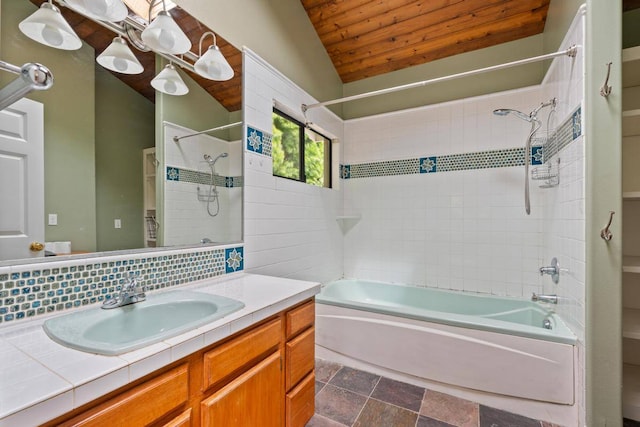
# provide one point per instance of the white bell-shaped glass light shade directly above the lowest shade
(165, 36)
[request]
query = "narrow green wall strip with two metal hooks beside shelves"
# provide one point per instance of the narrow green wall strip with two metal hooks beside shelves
(603, 190)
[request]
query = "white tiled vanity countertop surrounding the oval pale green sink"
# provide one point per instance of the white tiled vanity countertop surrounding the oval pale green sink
(263, 296)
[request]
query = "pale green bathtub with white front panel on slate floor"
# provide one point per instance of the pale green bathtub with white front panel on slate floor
(481, 343)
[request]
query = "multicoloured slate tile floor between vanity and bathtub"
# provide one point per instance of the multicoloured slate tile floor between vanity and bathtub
(354, 398)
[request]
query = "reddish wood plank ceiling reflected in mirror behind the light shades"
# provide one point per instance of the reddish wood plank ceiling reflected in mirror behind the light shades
(228, 93)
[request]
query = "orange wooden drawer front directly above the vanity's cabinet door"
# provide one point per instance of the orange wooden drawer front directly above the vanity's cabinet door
(228, 358)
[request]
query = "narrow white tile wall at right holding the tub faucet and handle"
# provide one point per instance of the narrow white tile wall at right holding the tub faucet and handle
(564, 226)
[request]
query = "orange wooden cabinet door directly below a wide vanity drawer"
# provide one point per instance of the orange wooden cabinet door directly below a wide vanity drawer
(255, 398)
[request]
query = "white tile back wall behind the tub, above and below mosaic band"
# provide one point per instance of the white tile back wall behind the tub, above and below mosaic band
(464, 230)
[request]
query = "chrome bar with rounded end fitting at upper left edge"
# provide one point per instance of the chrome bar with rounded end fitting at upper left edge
(31, 76)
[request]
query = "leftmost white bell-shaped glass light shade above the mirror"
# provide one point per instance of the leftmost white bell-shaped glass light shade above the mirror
(47, 26)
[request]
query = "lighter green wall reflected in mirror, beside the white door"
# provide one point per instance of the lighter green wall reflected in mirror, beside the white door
(69, 130)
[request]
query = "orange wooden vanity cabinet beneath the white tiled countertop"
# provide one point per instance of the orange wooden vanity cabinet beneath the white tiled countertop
(262, 376)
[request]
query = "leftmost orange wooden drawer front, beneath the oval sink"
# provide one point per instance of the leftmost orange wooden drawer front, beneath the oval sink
(141, 405)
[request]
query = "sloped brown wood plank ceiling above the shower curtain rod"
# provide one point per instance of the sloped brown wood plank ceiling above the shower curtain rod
(366, 38)
